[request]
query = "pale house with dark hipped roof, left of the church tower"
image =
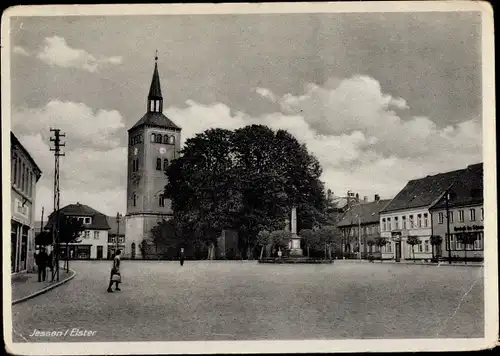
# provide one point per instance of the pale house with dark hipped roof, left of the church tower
(93, 241)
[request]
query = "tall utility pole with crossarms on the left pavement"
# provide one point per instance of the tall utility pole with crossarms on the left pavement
(55, 221)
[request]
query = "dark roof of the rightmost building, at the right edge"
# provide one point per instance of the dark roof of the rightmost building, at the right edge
(466, 190)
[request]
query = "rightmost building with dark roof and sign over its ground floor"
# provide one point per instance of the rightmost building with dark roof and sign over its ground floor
(463, 202)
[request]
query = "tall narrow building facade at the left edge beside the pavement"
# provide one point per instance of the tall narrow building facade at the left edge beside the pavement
(24, 175)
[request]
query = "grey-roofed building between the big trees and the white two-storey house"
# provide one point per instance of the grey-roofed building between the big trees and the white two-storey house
(359, 225)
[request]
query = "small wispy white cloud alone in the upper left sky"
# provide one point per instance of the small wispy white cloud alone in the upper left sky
(56, 52)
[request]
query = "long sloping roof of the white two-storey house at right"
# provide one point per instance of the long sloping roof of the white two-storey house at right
(424, 192)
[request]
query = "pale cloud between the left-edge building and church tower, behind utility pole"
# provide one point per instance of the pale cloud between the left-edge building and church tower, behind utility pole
(93, 170)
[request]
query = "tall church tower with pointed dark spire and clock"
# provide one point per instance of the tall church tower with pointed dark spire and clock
(153, 142)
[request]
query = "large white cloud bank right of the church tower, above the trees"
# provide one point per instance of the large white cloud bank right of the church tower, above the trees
(362, 144)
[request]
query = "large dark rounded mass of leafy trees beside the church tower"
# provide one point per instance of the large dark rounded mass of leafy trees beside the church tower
(248, 179)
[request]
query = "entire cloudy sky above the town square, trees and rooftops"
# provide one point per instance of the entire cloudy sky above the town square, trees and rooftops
(379, 98)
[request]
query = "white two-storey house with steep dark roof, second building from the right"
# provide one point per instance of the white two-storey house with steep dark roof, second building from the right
(408, 215)
